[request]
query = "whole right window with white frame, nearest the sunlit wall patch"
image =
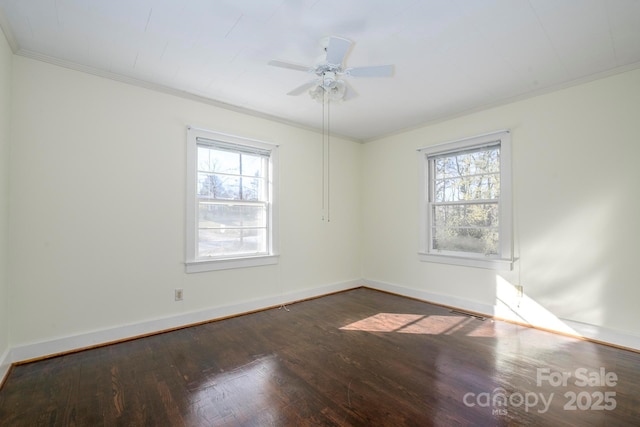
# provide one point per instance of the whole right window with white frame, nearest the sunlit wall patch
(466, 202)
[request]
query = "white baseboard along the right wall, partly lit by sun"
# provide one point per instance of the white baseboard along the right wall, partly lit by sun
(519, 314)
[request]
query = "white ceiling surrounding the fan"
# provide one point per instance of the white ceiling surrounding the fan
(450, 56)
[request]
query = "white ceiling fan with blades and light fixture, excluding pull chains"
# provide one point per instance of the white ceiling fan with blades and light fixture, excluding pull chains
(330, 70)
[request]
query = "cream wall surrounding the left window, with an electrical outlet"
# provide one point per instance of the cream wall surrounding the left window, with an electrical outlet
(98, 207)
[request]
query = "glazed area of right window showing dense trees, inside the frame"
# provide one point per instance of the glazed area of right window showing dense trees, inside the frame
(464, 199)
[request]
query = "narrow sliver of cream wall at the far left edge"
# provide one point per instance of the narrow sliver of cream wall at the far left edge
(6, 57)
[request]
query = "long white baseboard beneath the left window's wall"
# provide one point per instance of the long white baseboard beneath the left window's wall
(105, 336)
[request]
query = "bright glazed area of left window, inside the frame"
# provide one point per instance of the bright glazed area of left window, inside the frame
(232, 202)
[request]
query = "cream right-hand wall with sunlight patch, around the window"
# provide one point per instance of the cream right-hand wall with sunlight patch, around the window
(576, 176)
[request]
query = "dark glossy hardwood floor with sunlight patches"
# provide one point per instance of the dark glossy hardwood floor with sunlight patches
(361, 358)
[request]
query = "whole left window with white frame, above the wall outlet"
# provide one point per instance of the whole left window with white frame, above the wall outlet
(231, 201)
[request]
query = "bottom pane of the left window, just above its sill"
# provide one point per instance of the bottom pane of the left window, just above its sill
(216, 242)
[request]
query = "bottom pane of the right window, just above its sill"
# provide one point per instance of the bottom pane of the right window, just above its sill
(473, 240)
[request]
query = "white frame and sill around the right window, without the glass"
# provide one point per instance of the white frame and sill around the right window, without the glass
(504, 259)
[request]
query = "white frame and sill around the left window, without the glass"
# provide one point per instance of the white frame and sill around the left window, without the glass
(195, 263)
